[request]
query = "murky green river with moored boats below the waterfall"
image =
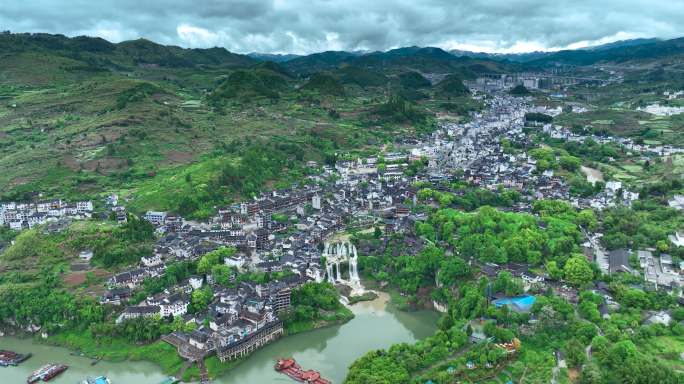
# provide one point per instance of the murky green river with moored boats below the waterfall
(329, 350)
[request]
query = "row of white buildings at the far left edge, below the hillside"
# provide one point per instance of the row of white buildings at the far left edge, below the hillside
(19, 216)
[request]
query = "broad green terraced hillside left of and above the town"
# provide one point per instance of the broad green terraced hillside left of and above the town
(180, 129)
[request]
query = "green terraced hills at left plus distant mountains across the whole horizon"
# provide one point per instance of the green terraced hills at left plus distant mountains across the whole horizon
(81, 115)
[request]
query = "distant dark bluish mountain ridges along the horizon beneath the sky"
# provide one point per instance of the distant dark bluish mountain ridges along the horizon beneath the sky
(98, 54)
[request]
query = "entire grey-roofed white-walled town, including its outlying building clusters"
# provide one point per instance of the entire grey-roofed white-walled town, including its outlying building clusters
(288, 232)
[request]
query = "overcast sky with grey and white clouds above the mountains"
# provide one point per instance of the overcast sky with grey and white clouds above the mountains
(305, 26)
